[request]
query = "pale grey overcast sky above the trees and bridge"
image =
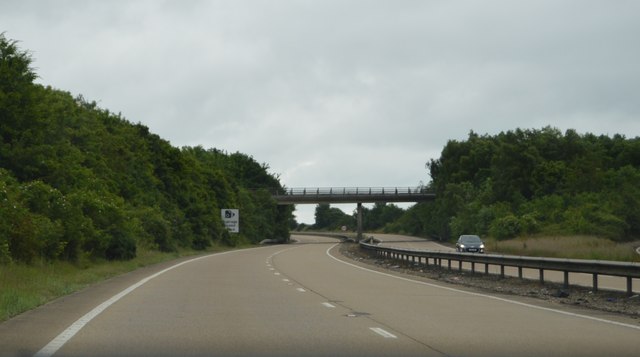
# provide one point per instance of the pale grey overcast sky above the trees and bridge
(341, 93)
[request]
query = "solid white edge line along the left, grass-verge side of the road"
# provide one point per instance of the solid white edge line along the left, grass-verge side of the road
(57, 343)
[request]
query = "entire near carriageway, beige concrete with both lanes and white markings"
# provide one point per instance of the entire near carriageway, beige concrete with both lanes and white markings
(304, 299)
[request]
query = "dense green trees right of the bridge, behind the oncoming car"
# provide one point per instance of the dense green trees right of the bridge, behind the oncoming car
(528, 182)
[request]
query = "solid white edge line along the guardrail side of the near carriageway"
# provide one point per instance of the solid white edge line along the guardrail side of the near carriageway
(486, 296)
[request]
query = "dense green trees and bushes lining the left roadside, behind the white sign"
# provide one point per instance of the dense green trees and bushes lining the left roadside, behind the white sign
(77, 180)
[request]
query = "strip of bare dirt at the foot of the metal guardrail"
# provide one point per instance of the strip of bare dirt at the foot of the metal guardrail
(609, 301)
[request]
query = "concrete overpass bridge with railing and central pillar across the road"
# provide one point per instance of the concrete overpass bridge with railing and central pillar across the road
(358, 195)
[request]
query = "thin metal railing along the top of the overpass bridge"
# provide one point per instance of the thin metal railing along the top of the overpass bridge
(318, 191)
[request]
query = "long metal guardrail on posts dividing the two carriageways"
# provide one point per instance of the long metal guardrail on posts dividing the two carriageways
(594, 267)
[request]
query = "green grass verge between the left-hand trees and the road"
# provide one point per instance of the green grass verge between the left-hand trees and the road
(25, 287)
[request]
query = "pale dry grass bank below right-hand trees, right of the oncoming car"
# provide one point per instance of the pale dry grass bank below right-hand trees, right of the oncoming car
(572, 247)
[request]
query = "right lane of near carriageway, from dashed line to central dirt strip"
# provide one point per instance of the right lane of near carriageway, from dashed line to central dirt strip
(457, 322)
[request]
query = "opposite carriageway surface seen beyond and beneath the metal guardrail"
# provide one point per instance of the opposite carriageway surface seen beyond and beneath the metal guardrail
(604, 282)
